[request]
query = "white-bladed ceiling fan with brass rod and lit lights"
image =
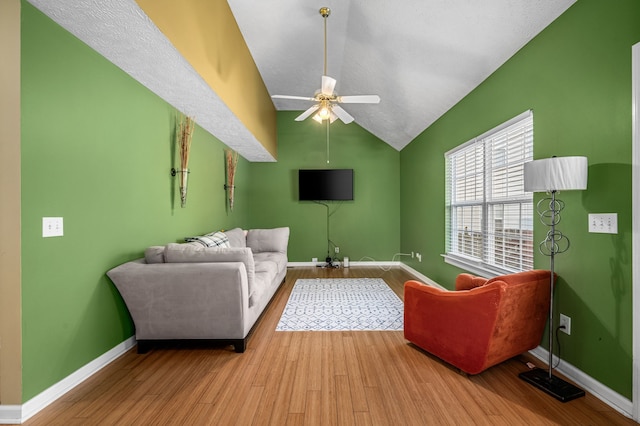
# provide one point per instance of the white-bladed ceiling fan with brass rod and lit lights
(325, 98)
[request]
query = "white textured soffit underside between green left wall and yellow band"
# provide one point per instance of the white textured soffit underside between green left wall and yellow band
(121, 32)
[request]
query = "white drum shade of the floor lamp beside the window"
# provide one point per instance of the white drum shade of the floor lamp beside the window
(555, 174)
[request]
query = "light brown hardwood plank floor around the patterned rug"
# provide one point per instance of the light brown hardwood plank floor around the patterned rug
(314, 378)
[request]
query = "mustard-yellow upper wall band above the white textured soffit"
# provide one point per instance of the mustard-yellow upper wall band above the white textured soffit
(205, 32)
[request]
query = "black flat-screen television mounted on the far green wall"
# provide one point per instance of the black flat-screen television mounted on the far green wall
(325, 184)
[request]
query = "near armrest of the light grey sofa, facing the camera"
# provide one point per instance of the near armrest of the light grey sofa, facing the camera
(185, 300)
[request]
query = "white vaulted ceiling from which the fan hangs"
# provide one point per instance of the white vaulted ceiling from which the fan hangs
(420, 56)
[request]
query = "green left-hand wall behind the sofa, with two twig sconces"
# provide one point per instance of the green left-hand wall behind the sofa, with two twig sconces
(96, 149)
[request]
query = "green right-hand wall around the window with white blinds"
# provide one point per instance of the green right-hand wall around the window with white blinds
(576, 76)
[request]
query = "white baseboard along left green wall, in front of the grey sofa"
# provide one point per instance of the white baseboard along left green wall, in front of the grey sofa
(16, 414)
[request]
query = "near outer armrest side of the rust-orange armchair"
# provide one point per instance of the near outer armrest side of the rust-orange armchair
(433, 316)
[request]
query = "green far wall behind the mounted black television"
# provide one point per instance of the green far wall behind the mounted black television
(367, 227)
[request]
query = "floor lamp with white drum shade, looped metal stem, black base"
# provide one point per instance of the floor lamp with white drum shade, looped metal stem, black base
(552, 175)
